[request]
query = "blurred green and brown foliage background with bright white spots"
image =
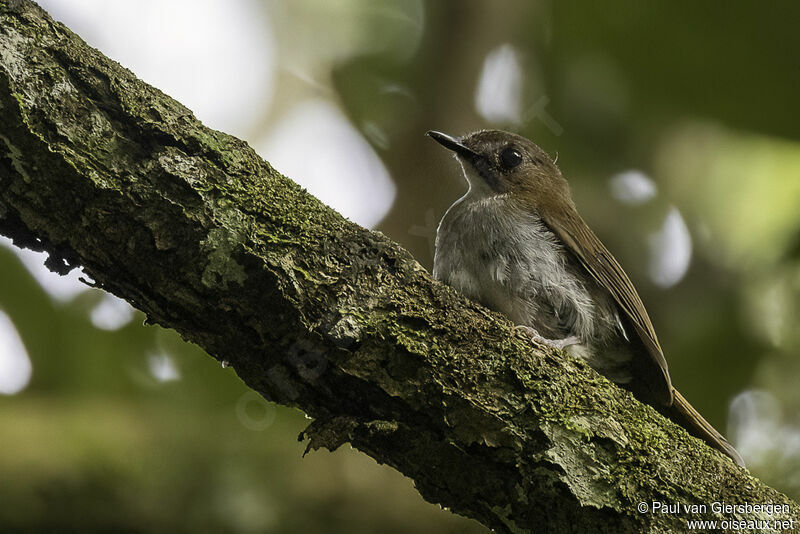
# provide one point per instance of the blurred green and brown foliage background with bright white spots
(675, 122)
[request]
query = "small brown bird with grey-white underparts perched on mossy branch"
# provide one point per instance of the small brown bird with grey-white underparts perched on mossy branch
(515, 243)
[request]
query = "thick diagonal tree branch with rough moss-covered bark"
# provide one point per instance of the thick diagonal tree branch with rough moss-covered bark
(188, 224)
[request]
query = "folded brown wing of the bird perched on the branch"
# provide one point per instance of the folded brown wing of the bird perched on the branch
(595, 258)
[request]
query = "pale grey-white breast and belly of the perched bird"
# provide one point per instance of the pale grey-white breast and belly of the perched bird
(511, 262)
